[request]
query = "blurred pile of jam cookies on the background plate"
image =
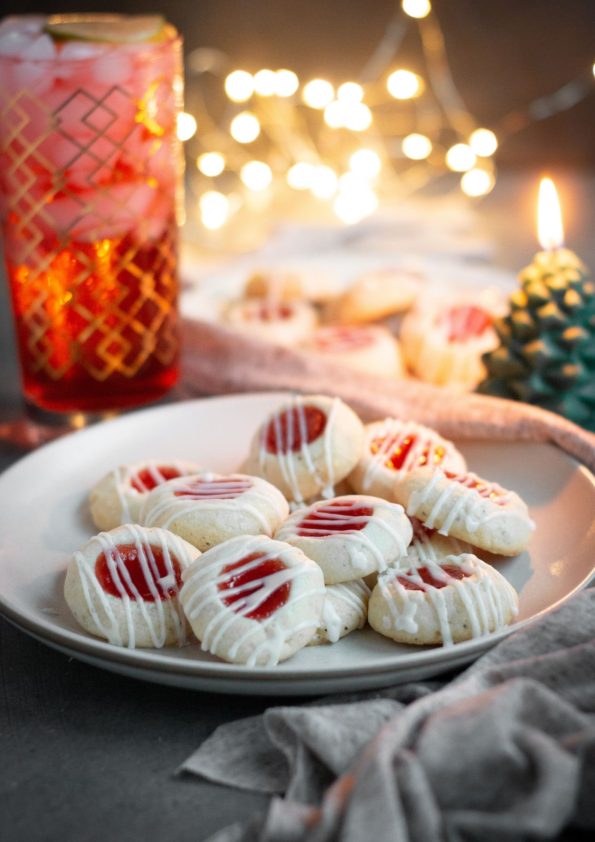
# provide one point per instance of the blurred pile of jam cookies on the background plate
(388, 323)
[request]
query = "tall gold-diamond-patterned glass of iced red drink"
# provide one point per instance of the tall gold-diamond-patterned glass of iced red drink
(90, 172)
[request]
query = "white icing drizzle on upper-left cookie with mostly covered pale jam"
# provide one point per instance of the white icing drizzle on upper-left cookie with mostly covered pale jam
(210, 492)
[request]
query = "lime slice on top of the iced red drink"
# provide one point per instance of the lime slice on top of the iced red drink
(115, 29)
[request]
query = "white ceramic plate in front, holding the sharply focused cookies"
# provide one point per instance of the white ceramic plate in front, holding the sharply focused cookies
(44, 517)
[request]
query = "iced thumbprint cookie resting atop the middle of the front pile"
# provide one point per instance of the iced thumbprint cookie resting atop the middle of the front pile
(349, 537)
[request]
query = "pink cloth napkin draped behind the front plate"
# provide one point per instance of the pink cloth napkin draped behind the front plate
(218, 360)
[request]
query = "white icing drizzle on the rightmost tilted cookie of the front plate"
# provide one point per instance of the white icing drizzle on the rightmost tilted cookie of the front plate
(460, 497)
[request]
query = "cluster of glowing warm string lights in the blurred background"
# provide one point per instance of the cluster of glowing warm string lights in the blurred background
(391, 143)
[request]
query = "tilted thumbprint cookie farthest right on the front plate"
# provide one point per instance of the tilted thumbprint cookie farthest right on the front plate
(467, 507)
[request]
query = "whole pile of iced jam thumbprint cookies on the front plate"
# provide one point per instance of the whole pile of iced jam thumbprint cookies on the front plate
(262, 563)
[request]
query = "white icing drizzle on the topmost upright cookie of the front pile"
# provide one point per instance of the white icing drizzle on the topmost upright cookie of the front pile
(287, 457)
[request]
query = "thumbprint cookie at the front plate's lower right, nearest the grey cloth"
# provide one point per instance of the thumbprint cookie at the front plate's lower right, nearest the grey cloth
(426, 602)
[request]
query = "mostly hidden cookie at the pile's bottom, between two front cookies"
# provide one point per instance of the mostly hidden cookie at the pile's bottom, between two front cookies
(345, 609)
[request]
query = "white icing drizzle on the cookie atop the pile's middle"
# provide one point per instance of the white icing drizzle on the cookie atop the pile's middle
(357, 539)
